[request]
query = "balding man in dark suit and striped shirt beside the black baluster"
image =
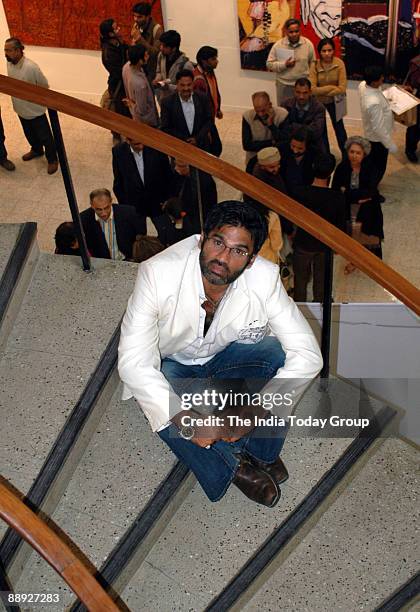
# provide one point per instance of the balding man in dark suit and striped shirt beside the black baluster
(110, 229)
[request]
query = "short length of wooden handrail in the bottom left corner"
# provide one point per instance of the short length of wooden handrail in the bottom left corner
(49, 545)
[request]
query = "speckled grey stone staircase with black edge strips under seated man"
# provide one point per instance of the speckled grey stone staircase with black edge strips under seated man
(342, 537)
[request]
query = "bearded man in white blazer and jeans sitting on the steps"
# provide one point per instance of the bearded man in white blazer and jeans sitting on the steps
(209, 309)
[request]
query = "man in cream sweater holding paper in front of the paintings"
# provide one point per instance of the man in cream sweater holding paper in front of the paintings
(290, 58)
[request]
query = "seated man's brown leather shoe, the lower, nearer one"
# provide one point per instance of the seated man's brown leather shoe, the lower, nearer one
(256, 484)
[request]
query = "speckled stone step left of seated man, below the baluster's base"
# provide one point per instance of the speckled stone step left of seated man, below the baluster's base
(65, 322)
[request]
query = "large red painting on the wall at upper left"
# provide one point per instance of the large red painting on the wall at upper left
(73, 24)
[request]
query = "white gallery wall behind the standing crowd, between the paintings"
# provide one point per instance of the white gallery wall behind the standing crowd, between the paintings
(81, 74)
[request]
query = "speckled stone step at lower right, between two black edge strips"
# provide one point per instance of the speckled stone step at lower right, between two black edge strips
(362, 549)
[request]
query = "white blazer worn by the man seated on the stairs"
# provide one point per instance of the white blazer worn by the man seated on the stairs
(162, 319)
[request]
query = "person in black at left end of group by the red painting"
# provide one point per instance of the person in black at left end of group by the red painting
(114, 56)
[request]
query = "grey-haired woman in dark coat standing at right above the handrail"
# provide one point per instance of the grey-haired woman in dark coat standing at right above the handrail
(358, 179)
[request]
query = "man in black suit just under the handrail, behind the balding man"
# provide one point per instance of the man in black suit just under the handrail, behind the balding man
(141, 177)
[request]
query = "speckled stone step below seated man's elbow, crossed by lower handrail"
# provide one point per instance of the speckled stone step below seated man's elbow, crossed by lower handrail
(122, 466)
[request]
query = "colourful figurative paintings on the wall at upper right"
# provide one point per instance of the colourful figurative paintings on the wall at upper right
(384, 32)
